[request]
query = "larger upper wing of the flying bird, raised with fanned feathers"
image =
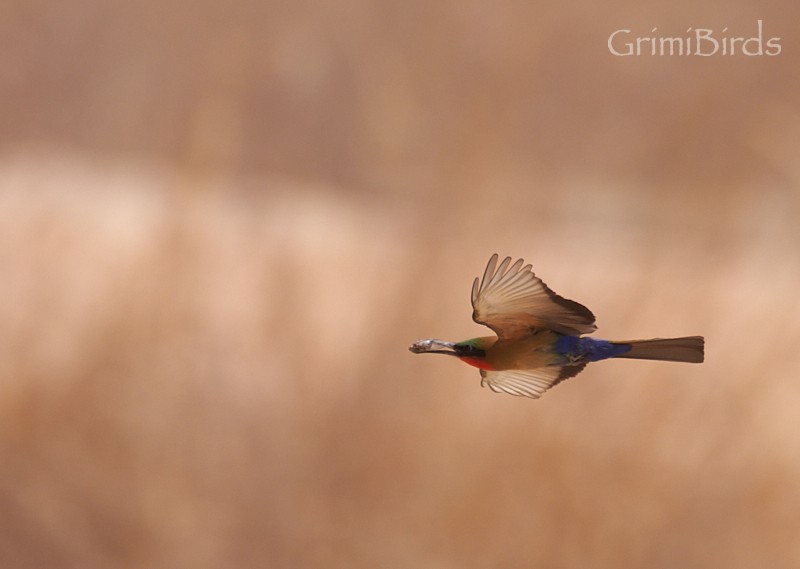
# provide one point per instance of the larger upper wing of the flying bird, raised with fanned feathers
(511, 300)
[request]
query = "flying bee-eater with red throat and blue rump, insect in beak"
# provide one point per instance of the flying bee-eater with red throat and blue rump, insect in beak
(539, 342)
